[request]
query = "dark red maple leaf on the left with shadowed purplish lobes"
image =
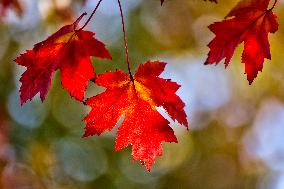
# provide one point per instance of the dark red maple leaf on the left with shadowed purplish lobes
(68, 50)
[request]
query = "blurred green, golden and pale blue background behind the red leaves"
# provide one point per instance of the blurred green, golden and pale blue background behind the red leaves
(236, 135)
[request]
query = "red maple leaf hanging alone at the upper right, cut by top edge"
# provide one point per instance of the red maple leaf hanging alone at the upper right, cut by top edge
(249, 22)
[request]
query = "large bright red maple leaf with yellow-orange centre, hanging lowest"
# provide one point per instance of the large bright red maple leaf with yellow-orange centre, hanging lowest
(137, 98)
